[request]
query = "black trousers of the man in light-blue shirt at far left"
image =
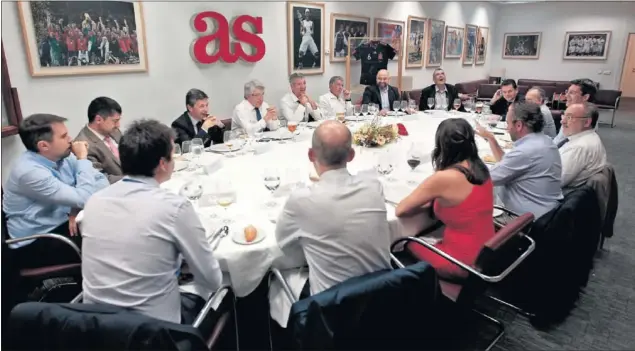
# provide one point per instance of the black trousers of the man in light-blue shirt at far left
(49, 252)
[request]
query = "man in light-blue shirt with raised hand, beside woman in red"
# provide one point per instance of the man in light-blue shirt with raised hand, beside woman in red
(527, 177)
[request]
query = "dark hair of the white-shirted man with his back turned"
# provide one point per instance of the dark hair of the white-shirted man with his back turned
(143, 145)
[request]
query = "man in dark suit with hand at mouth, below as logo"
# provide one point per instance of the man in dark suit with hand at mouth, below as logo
(195, 122)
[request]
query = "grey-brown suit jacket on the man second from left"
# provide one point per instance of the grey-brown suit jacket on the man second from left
(100, 155)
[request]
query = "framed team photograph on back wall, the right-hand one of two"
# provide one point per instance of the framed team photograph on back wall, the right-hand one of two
(592, 45)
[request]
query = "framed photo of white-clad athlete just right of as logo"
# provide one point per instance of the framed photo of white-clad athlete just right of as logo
(305, 29)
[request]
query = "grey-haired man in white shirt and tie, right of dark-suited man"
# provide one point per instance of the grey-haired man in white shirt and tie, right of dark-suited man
(253, 113)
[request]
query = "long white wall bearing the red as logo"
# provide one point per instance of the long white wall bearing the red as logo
(160, 93)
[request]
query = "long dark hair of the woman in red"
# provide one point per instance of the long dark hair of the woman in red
(454, 143)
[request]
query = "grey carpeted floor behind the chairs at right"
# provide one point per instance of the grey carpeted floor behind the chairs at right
(605, 316)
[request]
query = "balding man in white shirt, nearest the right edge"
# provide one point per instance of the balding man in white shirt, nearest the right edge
(582, 151)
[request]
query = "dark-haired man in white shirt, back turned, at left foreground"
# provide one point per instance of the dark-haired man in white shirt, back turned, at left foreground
(134, 234)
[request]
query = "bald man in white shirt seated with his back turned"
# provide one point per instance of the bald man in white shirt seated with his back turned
(339, 223)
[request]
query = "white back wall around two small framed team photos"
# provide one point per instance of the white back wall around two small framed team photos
(553, 20)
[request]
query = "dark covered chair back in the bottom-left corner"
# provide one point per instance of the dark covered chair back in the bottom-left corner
(46, 326)
